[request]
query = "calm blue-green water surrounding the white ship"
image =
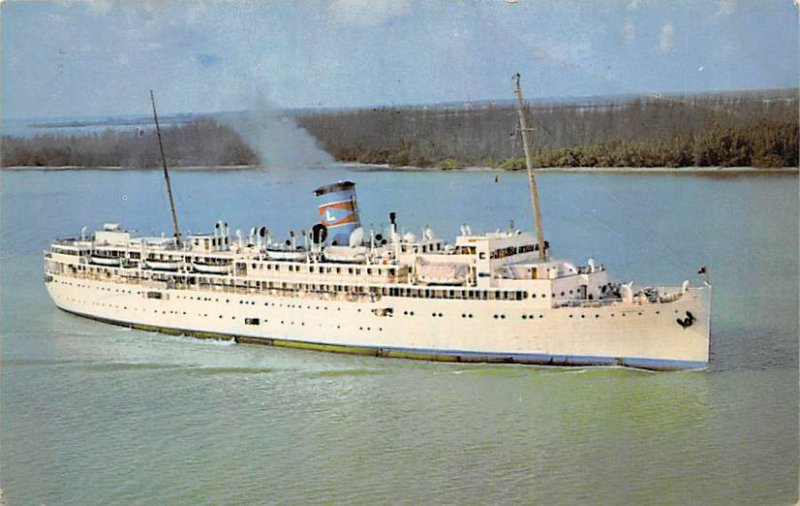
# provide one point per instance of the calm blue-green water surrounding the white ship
(94, 414)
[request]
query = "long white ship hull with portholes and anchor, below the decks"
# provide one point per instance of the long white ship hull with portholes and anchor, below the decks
(645, 336)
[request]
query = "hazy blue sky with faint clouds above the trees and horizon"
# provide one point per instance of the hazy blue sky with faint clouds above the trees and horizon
(68, 58)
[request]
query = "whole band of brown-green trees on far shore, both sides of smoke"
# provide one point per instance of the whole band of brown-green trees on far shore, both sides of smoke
(743, 129)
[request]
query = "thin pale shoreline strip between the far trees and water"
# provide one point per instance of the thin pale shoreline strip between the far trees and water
(363, 167)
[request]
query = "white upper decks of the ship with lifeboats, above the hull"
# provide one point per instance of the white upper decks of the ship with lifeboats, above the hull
(499, 265)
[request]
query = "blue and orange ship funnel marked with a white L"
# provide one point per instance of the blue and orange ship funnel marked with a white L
(338, 210)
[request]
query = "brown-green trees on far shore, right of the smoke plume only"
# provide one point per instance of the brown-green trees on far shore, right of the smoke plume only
(756, 128)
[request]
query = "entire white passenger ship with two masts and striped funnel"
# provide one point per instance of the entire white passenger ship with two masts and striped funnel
(489, 297)
